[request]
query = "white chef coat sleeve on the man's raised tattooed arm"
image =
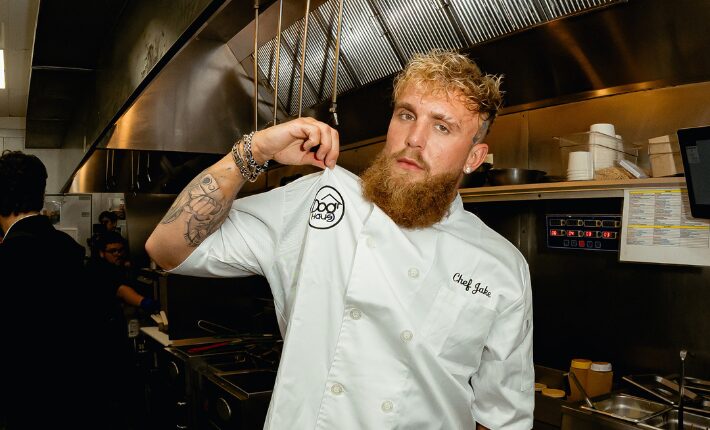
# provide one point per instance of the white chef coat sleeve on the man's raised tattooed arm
(245, 244)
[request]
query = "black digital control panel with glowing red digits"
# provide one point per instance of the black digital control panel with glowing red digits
(586, 232)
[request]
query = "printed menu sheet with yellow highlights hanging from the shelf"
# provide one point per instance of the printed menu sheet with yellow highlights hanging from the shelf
(657, 228)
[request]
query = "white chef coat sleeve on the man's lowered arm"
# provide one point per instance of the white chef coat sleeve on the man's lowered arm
(503, 386)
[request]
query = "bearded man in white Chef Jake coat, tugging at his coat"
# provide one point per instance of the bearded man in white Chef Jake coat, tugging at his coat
(398, 308)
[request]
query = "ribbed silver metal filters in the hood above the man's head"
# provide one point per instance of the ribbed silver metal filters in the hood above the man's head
(379, 35)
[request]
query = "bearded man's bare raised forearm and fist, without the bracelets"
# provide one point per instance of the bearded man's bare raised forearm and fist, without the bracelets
(204, 203)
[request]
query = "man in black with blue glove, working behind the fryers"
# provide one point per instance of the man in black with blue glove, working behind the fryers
(110, 275)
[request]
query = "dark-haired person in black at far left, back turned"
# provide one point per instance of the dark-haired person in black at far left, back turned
(48, 377)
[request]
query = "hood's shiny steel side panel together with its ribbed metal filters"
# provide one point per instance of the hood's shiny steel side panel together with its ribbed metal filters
(202, 100)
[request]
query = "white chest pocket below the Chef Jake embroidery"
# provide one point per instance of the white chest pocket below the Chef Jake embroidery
(456, 328)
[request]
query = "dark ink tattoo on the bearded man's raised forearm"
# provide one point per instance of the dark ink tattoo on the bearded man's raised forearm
(205, 203)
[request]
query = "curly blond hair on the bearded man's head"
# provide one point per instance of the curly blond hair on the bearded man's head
(455, 75)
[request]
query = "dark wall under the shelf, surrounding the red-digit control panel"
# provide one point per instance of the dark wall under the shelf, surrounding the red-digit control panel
(588, 304)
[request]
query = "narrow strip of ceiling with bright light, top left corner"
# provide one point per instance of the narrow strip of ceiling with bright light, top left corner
(17, 25)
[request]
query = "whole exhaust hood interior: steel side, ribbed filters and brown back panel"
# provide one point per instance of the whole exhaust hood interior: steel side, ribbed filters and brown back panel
(202, 99)
